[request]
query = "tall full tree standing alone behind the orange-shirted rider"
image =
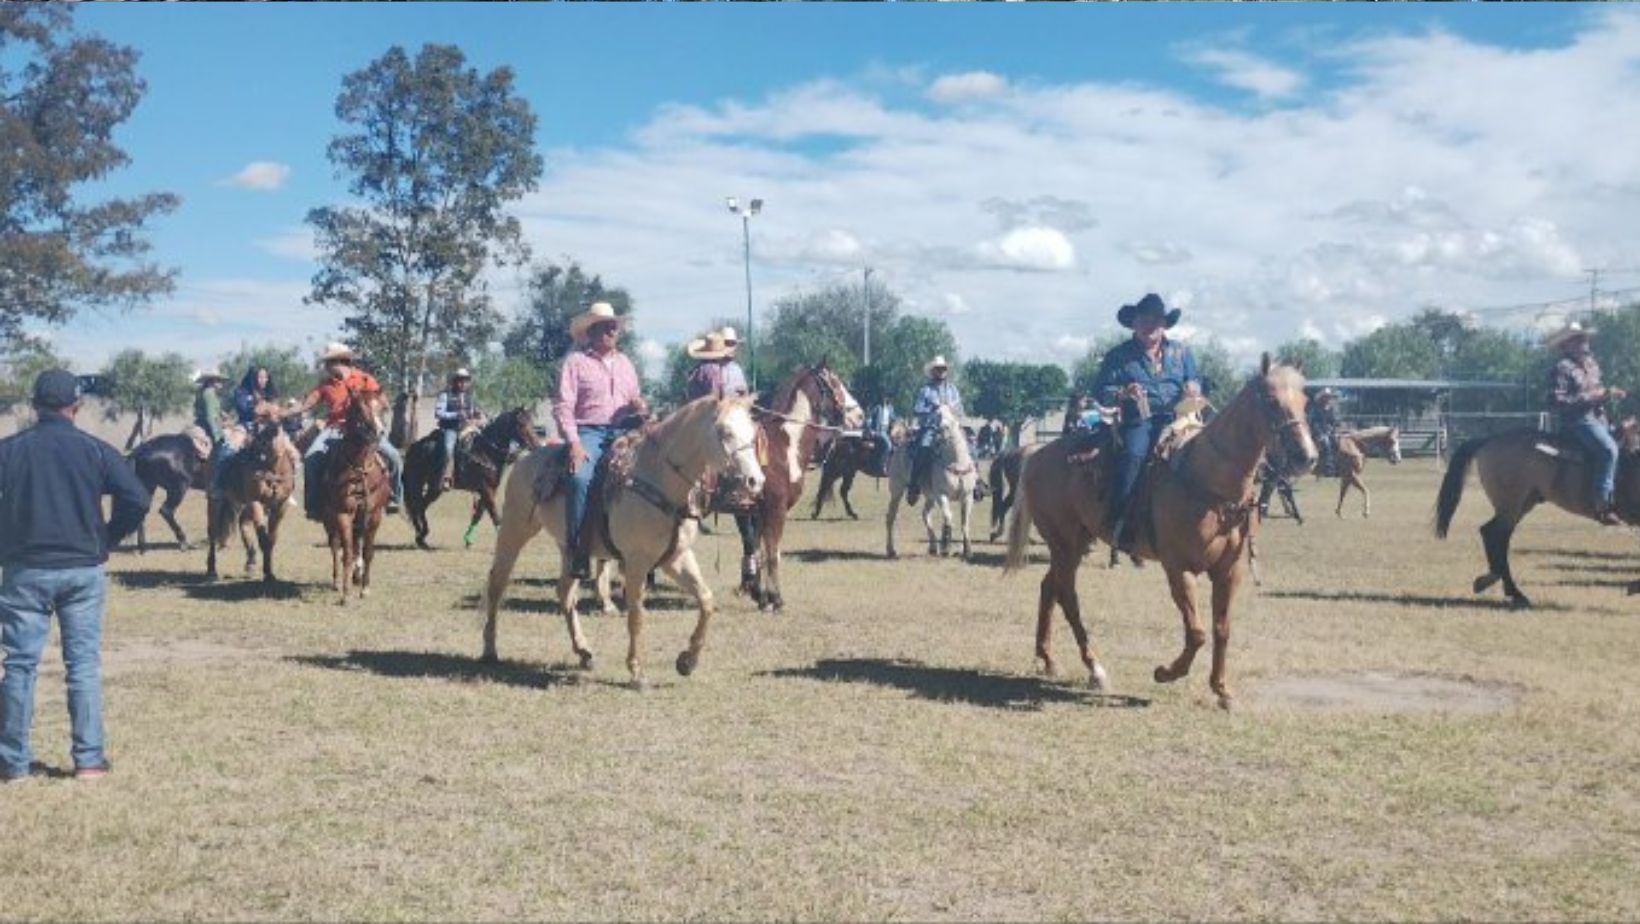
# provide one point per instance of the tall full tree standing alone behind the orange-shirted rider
(434, 150)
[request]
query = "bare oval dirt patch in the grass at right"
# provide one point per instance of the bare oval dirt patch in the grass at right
(1387, 692)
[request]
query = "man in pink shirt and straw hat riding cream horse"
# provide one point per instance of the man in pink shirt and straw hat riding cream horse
(598, 393)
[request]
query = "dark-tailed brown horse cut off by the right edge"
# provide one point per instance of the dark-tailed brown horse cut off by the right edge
(1523, 469)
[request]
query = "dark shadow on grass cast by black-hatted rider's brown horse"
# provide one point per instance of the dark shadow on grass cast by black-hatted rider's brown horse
(955, 685)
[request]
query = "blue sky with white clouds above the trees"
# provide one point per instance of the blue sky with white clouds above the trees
(986, 160)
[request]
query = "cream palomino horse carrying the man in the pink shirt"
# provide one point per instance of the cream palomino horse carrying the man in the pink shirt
(649, 519)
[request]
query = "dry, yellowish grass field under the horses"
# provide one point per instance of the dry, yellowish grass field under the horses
(881, 751)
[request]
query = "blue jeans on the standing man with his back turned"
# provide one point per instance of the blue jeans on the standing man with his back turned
(29, 597)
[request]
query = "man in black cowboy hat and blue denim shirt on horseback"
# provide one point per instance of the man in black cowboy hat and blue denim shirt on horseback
(1149, 377)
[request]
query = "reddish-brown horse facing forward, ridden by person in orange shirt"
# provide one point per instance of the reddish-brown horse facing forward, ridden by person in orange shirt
(355, 496)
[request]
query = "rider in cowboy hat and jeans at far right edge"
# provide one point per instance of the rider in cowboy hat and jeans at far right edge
(1578, 401)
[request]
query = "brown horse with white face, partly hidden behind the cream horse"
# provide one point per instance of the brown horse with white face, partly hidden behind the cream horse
(811, 401)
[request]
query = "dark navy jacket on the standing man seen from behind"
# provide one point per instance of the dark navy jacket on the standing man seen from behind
(53, 478)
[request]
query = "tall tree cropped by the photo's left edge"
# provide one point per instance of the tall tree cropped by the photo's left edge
(61, 98)
